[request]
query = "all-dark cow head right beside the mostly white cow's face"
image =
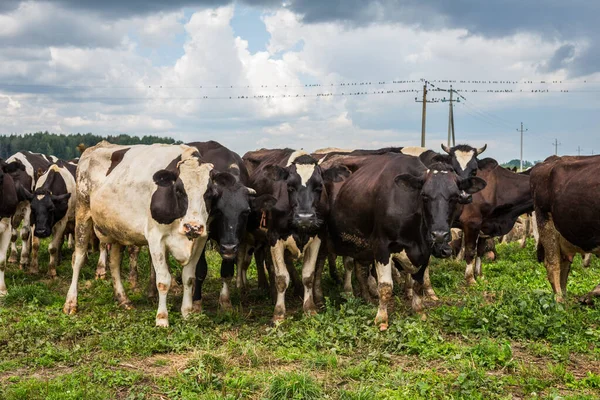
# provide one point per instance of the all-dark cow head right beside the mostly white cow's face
(230, 204)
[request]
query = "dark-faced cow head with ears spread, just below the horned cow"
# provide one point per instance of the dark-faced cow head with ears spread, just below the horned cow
(439, 191)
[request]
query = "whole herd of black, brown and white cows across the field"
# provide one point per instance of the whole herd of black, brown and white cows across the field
(384, 211)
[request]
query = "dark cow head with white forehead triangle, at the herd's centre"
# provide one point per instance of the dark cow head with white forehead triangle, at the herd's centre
(304, 183)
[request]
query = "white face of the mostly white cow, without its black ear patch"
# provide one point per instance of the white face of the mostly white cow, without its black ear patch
(195, 177)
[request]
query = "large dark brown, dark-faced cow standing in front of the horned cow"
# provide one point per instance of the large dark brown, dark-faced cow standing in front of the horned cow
(394, 209)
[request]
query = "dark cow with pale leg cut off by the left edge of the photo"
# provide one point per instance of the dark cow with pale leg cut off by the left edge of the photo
(9, 201)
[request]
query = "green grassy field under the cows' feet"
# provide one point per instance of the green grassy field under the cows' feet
(506, 338)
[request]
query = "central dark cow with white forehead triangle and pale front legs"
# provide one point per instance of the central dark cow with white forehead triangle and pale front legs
(295, 223)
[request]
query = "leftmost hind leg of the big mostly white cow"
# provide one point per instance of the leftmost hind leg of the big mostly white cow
(83, 232)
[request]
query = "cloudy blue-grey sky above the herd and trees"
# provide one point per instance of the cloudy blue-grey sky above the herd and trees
(219, 70)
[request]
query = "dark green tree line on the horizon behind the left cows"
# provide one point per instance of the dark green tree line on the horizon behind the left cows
(66, 146)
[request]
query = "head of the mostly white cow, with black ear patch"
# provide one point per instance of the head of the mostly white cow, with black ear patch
(180, 194)
